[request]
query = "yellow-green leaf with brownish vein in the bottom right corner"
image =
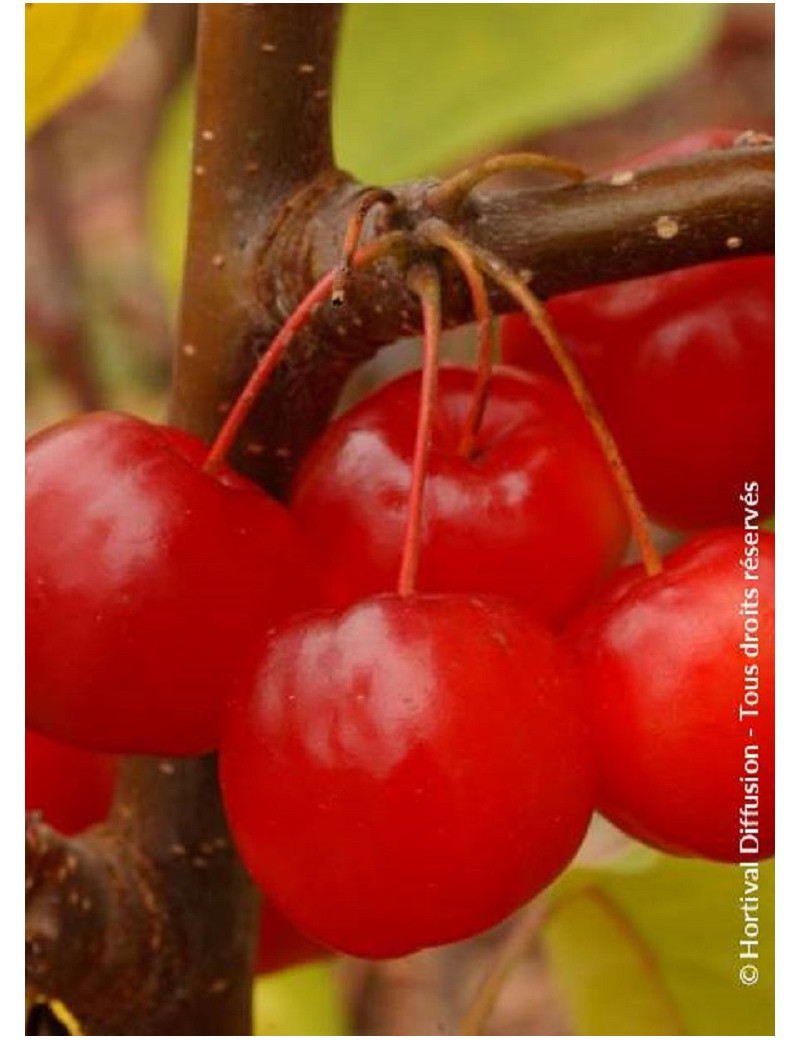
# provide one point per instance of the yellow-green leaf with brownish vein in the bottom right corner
(654, 951)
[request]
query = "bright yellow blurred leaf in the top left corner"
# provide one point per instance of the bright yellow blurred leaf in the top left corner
(67, 46)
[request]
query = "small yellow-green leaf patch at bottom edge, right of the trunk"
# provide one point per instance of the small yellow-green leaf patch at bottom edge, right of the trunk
(301, 1002)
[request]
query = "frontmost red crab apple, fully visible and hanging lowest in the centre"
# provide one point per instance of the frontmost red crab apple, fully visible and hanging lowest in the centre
(408, 772)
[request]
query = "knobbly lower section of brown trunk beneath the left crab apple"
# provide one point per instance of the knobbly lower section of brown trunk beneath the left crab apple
(117, 920)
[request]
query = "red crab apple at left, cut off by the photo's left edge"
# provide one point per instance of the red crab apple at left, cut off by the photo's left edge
(147, 581)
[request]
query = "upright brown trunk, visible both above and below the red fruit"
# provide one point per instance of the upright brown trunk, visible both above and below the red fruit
(147, 926)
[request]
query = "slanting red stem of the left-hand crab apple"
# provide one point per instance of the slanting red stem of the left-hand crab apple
(270, 360)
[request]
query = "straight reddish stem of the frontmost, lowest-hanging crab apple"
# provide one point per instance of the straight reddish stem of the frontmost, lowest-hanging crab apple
(424, 280)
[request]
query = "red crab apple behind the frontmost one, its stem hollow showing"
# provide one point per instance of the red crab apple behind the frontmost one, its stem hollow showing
(534, 515)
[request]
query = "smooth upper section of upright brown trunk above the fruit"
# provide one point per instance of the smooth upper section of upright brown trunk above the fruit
(263, 134)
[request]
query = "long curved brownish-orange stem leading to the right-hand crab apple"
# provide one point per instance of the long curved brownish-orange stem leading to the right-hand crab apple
(495, 269)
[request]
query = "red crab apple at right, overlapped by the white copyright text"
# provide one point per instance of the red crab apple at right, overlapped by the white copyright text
(664, 665)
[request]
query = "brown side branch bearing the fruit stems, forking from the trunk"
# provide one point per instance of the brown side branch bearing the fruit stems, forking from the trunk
(710, 207)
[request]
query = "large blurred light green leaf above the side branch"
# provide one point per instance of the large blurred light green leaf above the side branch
(421, 87)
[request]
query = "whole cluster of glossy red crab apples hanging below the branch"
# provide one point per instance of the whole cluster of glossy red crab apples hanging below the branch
(406, 769)
